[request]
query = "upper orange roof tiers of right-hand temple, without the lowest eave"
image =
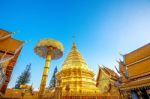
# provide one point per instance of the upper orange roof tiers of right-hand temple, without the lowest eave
(137, 63)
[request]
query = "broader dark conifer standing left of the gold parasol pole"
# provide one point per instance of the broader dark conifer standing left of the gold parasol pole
(24, 78)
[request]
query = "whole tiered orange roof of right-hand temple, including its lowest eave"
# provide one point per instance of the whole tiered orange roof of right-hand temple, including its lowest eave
(138, 62)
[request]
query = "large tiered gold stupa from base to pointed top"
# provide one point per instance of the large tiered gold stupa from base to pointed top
(75, 78)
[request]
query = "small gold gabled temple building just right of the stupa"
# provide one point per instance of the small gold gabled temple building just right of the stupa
(106, 80)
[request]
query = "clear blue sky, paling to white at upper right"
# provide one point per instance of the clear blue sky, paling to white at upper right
(104, 28)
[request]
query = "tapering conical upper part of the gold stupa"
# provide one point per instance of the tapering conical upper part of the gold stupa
(74, 59)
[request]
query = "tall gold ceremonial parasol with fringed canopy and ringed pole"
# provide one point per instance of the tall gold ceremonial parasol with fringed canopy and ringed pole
(49, 49)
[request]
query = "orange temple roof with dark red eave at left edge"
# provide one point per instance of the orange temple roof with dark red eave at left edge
(9, 51)
